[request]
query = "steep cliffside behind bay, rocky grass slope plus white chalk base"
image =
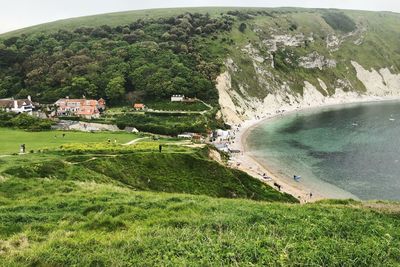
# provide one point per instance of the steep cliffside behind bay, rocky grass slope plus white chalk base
(314, 66)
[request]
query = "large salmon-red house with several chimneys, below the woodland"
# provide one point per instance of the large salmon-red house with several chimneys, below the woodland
(87, 108)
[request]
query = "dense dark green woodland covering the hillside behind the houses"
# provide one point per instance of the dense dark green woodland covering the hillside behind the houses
(147, 59)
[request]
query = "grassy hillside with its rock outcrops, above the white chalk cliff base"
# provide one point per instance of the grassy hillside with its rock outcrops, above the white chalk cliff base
(272, 51)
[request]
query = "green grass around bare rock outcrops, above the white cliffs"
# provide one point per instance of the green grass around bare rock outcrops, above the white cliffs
(379, 49)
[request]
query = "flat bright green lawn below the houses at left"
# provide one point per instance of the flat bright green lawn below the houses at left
(10, 139)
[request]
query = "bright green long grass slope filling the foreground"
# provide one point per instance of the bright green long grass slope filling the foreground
(63, 223)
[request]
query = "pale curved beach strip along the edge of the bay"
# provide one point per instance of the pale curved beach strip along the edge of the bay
(249, 164)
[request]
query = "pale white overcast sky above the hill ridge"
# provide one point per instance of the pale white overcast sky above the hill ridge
(15, 14)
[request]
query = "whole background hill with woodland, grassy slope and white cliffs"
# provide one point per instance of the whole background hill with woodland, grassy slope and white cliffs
(283, 56)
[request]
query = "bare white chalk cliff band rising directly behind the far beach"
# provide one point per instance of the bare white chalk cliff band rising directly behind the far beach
(236, 108)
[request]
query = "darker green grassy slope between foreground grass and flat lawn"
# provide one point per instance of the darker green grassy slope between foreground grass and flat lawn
(178, 169)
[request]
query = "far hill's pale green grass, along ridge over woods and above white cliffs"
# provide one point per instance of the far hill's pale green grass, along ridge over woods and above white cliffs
(379, 47)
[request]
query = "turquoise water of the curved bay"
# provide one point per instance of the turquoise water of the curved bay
(346, 151)
